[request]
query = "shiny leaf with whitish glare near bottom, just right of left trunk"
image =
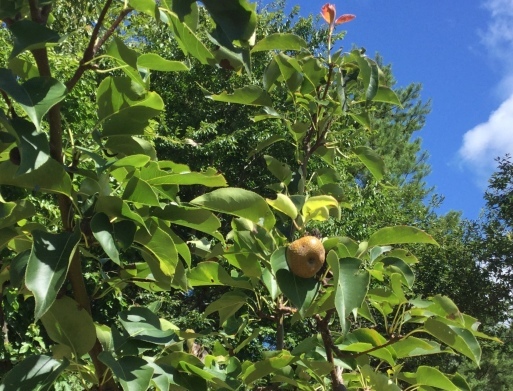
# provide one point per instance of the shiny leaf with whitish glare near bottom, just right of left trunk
(142, 324)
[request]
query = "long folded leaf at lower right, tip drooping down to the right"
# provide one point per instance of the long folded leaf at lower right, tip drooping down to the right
(458, 338)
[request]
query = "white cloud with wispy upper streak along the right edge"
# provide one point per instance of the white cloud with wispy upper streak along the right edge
(494, 138)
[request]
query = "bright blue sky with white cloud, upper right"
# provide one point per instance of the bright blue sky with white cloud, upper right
(462, 53)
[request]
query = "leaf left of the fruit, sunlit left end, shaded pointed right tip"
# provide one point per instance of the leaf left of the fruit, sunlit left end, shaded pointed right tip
(211, 273)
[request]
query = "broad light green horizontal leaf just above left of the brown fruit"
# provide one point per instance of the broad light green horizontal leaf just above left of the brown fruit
(238, 202)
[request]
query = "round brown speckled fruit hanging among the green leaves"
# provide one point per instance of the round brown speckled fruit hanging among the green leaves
(305, 256)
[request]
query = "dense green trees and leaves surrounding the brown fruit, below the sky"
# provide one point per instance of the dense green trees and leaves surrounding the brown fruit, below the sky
(156, 160)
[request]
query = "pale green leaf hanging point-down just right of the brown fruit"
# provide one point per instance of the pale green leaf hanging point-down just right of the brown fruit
(351, 285)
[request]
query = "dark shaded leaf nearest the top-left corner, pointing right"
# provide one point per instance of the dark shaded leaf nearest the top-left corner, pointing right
(29, 35)
